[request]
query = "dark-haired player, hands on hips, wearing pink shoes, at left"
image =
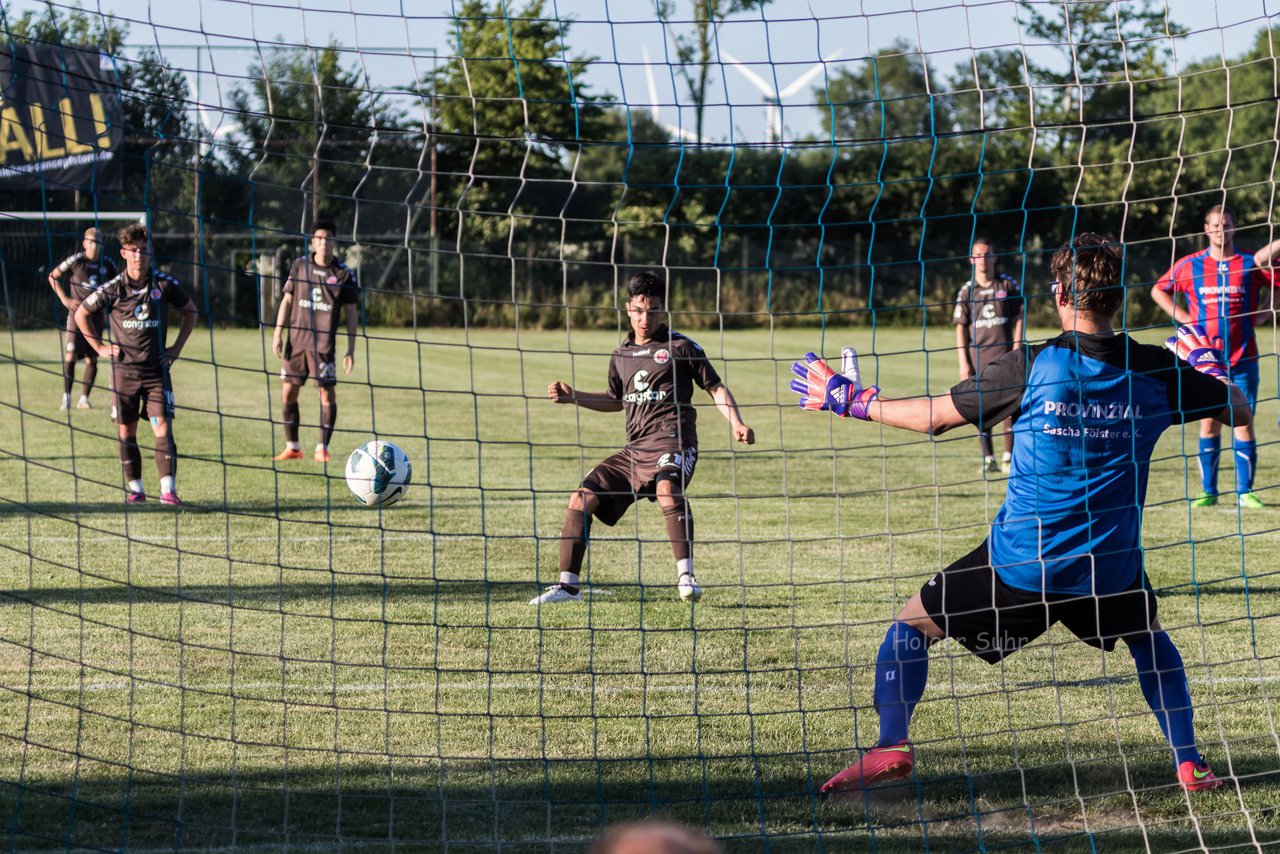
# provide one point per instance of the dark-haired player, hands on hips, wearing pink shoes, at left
(138, 305)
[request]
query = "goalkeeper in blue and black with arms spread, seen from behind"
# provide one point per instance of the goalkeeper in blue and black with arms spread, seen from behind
(1089, 408)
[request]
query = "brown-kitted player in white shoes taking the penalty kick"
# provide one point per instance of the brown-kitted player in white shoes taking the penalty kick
(652, 377)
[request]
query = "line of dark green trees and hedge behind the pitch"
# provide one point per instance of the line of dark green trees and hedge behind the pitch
(501, 186)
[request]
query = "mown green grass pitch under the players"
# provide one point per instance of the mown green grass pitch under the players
(273, 668)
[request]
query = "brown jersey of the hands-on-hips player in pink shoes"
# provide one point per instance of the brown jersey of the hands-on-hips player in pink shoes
(138, 313)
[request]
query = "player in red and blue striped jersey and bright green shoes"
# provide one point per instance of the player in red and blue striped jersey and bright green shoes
(1223, 290)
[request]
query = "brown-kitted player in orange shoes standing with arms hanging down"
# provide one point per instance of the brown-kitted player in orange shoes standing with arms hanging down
(319, 289)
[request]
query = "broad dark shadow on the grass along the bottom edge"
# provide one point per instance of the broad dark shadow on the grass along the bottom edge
(318, 802)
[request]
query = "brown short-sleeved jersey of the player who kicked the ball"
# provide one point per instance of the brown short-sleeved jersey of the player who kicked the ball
(656, 385)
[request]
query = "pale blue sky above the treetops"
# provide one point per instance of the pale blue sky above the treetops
(400, 40)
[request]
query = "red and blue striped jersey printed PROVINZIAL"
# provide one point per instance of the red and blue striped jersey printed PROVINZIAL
(1222, 296)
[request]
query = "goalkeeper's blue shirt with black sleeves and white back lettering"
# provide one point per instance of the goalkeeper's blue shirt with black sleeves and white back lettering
(1087, 414)
